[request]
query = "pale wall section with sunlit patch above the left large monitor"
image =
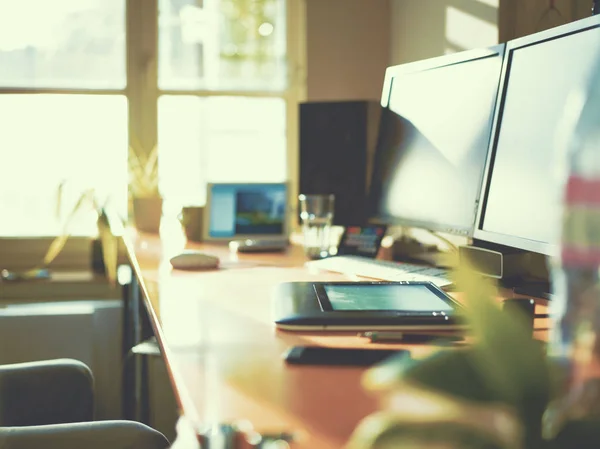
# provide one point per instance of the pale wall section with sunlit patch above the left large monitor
(427, 28)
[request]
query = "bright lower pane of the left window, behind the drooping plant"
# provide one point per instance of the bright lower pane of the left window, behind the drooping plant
(47, 139)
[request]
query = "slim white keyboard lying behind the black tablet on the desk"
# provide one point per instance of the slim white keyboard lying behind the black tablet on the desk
(382, 269)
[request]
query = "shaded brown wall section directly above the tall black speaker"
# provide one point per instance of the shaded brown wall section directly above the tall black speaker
(347, 48)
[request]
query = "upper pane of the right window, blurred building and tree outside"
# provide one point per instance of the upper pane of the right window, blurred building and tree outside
(222, 44)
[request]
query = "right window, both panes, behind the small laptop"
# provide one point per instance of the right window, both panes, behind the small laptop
(223, 85)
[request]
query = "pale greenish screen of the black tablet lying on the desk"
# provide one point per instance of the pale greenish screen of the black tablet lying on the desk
(400, 297)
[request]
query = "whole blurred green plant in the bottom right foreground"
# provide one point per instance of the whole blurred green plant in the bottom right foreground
(492, 394)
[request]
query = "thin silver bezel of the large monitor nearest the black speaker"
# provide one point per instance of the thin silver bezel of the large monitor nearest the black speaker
(421, 66)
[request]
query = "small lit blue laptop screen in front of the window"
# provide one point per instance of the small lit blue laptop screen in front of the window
(246, 210)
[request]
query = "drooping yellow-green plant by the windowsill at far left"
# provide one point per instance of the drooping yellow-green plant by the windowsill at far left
(87, 201)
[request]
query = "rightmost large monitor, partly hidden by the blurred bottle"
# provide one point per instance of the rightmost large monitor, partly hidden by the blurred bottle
(520, 205)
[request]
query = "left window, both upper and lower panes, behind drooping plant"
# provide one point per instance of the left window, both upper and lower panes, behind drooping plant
(63, 110)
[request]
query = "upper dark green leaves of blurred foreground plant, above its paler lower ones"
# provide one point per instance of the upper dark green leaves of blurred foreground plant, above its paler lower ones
(503, 365)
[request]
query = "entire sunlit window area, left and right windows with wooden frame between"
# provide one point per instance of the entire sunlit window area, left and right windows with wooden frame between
(213, 83)
